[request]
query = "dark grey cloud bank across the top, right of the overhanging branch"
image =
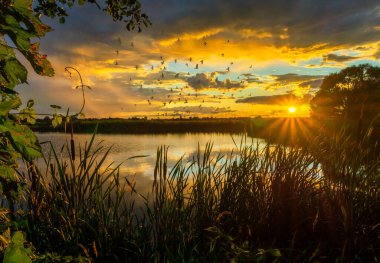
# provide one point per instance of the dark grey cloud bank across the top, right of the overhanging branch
(308, 22)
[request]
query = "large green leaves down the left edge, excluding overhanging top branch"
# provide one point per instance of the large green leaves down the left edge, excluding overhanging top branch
(19, 24)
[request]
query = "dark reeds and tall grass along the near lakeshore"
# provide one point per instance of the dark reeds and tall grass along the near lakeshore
(317, 203)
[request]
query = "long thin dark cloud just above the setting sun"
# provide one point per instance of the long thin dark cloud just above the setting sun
(276, 99)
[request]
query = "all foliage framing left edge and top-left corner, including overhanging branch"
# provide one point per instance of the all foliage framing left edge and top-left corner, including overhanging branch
(19, 23)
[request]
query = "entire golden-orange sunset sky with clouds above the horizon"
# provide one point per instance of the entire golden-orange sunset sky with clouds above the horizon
(205, 58)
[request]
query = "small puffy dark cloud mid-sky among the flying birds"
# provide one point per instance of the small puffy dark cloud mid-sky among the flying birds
(210, 81)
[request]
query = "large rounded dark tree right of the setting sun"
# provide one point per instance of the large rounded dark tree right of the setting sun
(352, 96)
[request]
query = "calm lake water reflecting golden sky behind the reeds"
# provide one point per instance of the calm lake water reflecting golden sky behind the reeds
(125, 146)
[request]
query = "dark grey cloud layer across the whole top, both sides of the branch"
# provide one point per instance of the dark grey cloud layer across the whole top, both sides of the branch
(307, 22)
